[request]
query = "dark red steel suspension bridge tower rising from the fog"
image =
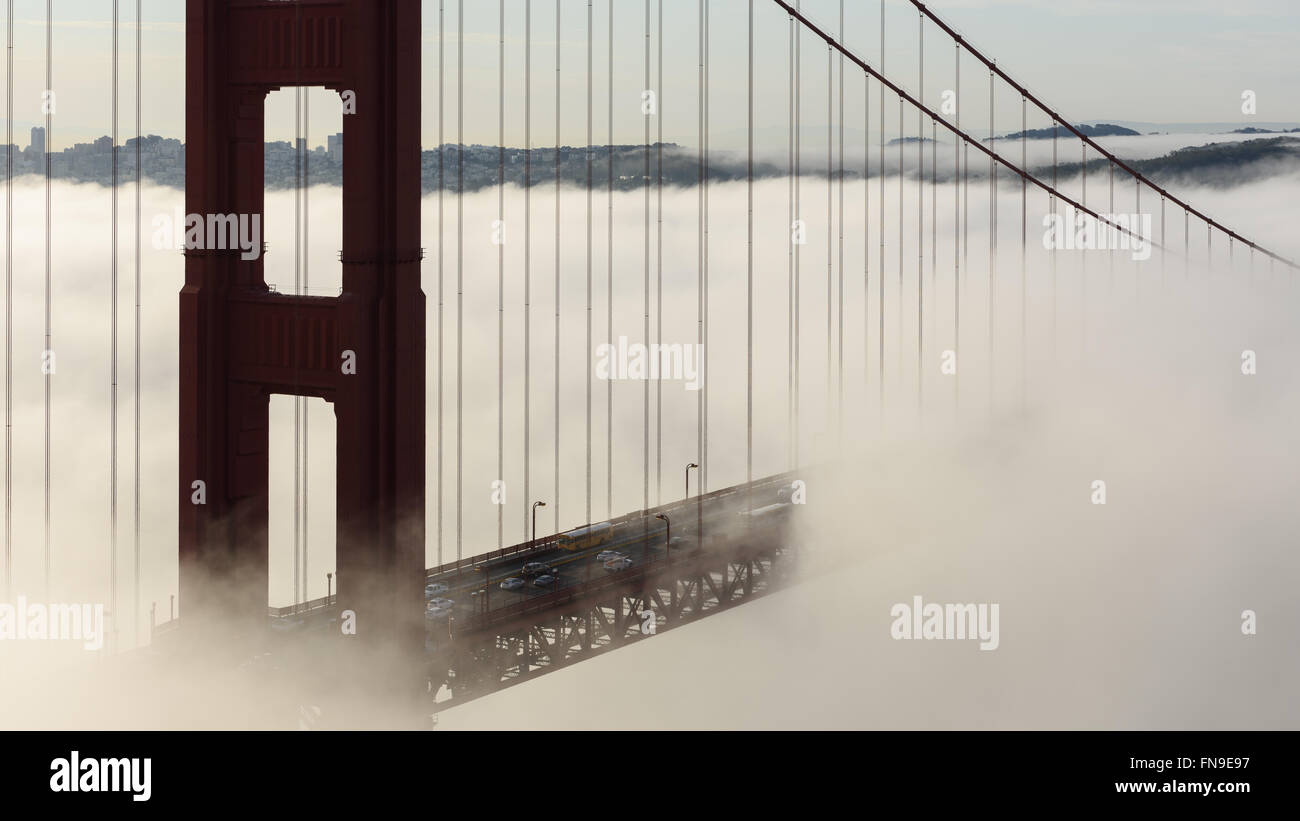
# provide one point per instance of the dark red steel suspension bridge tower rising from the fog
(362, 351)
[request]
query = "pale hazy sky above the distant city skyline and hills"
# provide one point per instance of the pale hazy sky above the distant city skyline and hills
(1149, 60)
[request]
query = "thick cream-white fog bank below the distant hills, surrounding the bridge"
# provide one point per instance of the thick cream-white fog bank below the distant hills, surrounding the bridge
(1126, 615)
